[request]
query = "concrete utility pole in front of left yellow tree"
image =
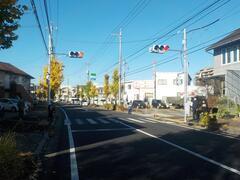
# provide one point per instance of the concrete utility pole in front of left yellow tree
(50, 52)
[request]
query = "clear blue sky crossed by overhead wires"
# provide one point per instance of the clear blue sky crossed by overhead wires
(92, 27)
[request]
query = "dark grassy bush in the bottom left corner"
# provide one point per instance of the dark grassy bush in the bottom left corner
(11, 164)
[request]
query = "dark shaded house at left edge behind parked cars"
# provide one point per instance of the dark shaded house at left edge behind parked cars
(14, 82)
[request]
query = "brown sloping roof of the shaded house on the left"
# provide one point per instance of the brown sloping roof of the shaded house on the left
(7, 67)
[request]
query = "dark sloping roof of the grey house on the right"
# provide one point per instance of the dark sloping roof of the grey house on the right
(234, 36)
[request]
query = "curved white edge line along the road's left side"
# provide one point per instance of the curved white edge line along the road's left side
(73, 159)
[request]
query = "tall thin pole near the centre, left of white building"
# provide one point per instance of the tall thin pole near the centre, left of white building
(120, 67)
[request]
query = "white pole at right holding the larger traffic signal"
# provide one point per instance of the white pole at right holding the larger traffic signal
(185, 74)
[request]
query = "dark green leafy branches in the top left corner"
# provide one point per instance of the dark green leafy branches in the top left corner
(10, 14)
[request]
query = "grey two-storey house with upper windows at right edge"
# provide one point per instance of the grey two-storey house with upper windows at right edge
(226, 66)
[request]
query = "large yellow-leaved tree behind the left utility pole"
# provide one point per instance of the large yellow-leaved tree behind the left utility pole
(56, 77)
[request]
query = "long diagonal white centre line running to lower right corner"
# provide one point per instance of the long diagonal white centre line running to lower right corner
(186, 150)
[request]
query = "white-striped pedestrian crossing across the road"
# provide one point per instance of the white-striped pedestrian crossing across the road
(111, 120)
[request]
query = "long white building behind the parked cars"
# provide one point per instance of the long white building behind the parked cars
(168, 84)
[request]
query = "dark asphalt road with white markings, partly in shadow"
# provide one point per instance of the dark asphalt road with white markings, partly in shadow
(97, 144)
